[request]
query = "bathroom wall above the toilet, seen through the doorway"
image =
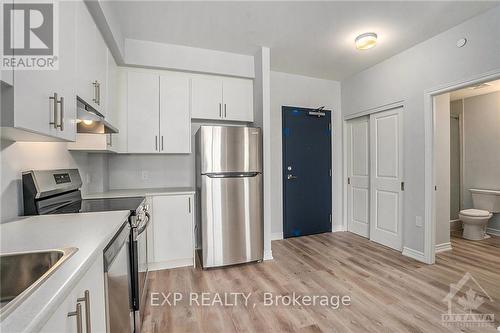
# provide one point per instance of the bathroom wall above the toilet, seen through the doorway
(482, 147)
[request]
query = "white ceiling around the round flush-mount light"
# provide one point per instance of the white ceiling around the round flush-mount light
(309, 38)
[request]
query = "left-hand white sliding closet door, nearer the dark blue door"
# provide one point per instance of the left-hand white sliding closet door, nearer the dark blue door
(358, 171)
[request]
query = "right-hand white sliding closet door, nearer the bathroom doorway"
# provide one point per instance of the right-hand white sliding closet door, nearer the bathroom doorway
(386, 178)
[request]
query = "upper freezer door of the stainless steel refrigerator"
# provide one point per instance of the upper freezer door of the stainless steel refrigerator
(228, 149)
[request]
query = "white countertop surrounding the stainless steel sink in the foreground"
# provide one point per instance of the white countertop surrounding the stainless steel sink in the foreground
(89, 232)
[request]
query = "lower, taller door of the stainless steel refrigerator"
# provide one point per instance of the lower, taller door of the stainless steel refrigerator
(232, 222)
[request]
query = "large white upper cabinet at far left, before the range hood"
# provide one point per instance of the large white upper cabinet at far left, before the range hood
(42, 102)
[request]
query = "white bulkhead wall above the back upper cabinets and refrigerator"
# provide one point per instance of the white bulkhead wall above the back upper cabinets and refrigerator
(184, 58)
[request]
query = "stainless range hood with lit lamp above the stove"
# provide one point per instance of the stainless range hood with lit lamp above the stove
(89, 120)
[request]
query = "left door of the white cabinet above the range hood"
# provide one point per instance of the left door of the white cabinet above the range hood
(86, 33)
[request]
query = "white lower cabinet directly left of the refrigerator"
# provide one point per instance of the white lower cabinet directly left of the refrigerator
(173, 231)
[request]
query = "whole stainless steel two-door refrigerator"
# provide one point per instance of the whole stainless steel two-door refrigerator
(229, 192)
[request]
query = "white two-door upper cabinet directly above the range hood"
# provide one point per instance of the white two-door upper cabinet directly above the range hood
(91, 60)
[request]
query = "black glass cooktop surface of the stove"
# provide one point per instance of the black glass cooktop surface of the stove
(101, 205)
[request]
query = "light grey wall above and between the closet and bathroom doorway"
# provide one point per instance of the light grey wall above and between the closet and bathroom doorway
(434, 63)
